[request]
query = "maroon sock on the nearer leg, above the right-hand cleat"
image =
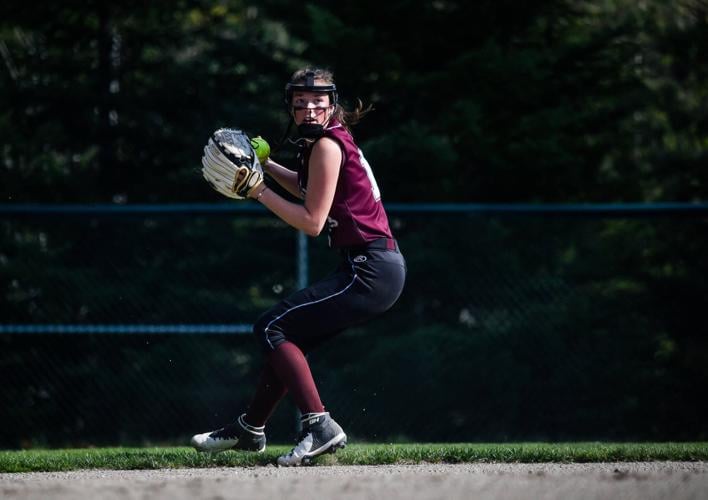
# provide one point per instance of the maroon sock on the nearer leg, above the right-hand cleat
(293, 370)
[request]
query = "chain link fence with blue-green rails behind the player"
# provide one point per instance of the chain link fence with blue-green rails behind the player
(130, 325)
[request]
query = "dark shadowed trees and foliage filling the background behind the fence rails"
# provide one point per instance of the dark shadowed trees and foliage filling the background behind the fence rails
(509, 329)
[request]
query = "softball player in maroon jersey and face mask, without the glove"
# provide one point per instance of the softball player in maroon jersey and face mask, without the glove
(340, 193)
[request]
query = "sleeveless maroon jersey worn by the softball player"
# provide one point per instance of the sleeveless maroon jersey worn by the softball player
(357, 215)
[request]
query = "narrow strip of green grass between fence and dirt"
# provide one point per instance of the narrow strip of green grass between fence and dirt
(358, 454)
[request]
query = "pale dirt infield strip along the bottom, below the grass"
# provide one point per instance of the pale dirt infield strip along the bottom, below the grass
(640, 481)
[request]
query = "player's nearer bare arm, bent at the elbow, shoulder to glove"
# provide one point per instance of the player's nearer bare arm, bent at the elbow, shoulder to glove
(310, 217)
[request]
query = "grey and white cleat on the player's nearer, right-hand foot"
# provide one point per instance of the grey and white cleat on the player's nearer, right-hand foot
(320, 434)
